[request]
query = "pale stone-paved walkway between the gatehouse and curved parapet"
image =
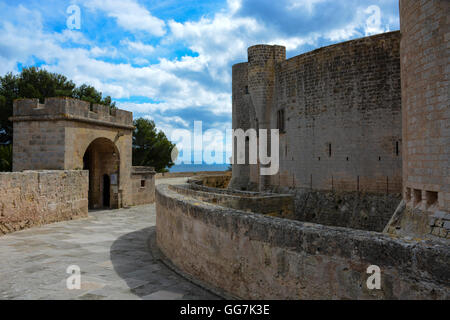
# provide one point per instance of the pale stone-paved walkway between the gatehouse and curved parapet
(110, 247)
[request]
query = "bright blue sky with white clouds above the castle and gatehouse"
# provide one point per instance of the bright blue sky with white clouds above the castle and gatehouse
(170, 61)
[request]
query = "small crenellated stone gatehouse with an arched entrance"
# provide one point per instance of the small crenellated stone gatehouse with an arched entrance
(69, 134)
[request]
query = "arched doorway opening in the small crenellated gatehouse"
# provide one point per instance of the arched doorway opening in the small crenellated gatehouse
(102, 159)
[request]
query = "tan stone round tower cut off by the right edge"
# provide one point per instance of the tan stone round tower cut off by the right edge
(425, 55)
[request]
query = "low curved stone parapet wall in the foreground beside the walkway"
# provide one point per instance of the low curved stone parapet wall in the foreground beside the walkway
(253, 256)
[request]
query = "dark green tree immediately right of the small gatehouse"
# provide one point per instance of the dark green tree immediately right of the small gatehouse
(151, 147)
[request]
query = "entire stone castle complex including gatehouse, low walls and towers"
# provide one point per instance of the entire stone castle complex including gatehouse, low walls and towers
(364, 172)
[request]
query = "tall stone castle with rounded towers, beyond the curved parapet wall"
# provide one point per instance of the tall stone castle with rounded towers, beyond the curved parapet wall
(369, 116)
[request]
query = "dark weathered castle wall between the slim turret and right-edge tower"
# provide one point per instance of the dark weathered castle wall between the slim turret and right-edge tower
(343, 117)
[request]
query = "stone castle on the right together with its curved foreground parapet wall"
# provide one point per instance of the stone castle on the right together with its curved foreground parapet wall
(363, 181)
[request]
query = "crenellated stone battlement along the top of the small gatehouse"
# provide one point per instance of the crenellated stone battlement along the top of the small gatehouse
(63, 108)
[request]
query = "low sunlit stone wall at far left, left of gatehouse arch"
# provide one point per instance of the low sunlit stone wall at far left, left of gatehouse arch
(33, 198)
